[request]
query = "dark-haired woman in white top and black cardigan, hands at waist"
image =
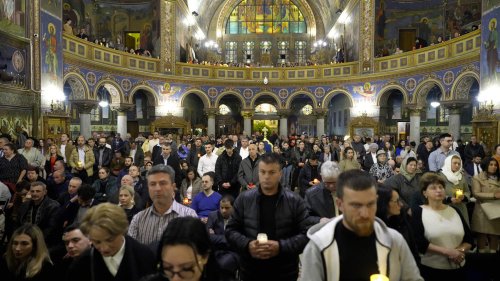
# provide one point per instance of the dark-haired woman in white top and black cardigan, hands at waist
(442, 233)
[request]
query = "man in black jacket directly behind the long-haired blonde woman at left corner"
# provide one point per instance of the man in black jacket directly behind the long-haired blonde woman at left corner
(41, 211)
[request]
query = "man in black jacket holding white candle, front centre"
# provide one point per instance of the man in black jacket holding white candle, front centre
(278, 218)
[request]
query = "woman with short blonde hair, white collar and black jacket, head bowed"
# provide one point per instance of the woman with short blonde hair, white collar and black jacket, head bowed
(114, 255)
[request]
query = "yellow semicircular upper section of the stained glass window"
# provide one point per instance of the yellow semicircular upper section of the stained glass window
(266, 17)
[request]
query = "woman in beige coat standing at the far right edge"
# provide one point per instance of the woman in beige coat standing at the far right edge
(486, 188)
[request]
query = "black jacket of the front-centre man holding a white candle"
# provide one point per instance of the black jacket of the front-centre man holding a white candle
(292, 223)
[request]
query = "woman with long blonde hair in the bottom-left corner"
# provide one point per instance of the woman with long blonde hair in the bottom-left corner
(27, 256)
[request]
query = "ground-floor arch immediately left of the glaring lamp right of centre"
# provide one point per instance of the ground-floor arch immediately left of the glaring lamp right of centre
(339, 114)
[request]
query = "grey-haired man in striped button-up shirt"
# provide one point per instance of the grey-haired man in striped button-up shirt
(148, 225)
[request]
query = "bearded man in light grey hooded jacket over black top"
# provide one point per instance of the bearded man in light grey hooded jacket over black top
(356, 245)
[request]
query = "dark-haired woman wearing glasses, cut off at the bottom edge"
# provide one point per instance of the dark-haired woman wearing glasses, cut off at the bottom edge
(184, 252)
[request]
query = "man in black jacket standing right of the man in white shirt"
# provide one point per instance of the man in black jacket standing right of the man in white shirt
(226, 170)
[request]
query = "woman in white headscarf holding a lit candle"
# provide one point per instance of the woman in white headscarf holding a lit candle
(457, 189)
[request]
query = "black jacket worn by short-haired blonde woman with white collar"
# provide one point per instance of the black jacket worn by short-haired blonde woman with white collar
(138, 261)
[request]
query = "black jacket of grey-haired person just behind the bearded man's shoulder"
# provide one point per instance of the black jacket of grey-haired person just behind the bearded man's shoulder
(319, 203)
